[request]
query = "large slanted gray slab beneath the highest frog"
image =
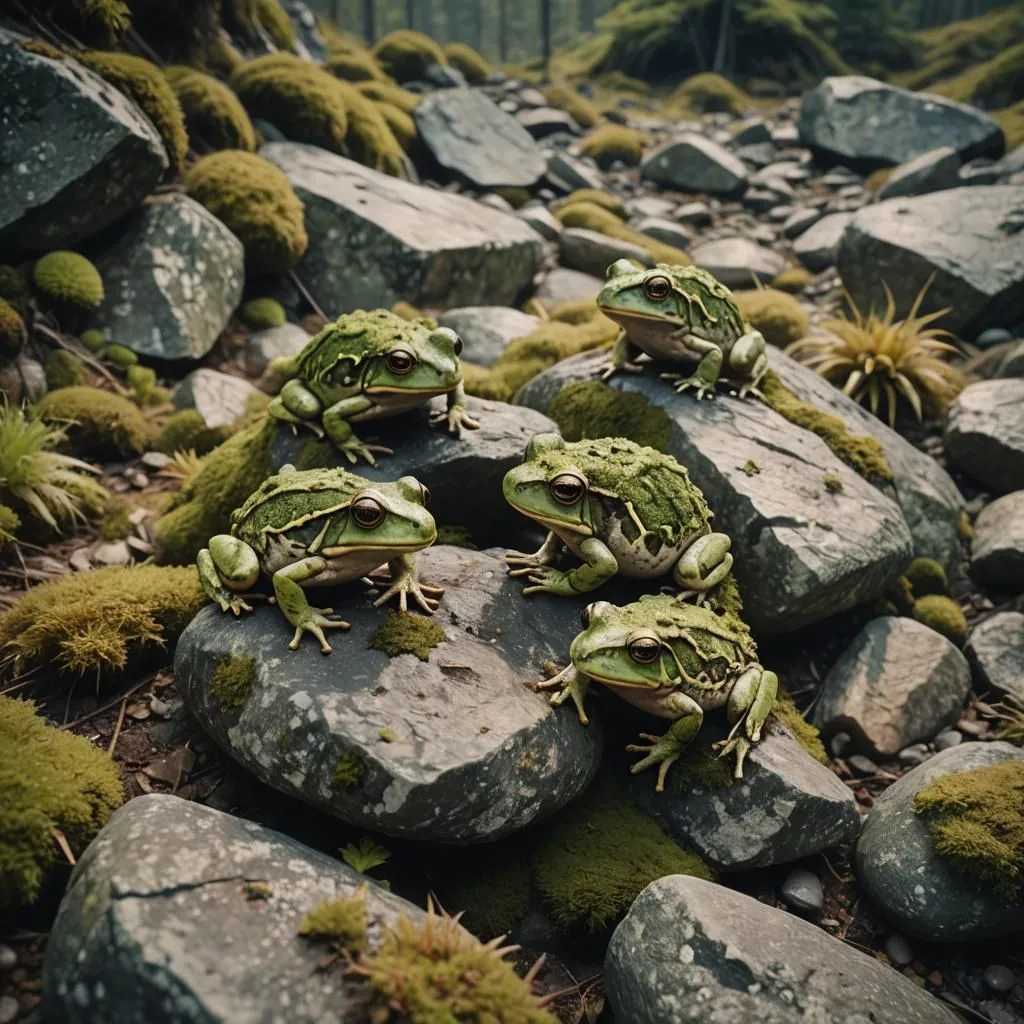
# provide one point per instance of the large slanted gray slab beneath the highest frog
(802, 552)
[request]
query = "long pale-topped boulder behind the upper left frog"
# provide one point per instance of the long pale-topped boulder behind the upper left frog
(375, 240)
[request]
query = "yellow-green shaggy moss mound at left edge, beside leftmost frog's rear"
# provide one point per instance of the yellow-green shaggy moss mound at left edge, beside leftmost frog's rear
(96, 621)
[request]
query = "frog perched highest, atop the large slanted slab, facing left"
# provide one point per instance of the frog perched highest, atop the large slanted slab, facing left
(680, 314)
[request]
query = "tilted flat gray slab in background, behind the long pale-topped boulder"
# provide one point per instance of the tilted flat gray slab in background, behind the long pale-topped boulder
(477, 142)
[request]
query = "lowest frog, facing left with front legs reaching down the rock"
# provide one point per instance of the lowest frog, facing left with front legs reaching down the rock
(675, 661)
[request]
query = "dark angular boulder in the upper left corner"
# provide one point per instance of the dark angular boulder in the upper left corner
(75, 154)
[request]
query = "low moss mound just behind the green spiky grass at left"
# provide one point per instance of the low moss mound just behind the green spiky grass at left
(100, 424)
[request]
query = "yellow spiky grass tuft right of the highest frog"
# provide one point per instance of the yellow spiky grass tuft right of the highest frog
(878, 360)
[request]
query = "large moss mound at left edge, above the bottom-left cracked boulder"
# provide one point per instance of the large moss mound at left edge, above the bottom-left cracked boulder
(49, 780)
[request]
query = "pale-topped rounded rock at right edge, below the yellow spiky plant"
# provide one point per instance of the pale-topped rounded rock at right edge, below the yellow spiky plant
(986, 434)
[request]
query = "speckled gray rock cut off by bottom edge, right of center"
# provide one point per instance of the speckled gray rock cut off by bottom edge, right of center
(692, 952)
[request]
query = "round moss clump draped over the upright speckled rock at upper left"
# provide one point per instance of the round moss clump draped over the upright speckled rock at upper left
(258, 203)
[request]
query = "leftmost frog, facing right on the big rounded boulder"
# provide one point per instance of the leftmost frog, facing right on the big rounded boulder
(318, 528)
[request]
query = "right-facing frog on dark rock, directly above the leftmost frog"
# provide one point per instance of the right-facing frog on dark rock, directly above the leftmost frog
(368, 366)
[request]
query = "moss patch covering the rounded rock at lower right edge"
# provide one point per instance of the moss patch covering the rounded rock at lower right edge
(976, 819)
